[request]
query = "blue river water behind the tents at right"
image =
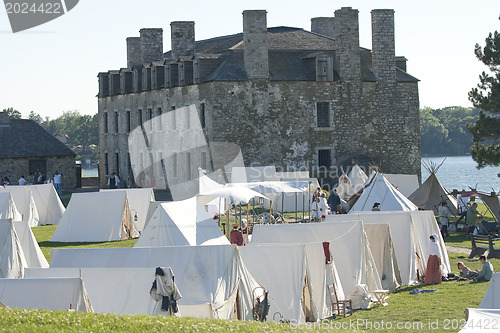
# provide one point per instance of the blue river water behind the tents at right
(460, 172)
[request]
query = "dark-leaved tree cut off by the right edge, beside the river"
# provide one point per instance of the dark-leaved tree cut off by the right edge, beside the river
(486, 96)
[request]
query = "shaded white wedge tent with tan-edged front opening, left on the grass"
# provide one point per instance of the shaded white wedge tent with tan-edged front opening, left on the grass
(96, 217)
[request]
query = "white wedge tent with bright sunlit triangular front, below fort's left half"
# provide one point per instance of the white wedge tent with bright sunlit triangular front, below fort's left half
(180, 223)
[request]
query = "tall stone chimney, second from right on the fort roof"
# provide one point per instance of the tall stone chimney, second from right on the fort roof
(347, 43)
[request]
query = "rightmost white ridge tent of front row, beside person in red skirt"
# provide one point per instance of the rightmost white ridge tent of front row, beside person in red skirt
(410, 233)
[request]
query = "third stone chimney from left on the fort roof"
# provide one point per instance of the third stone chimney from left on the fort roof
(182, 39)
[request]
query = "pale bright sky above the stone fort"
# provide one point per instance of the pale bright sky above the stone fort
(53, 68)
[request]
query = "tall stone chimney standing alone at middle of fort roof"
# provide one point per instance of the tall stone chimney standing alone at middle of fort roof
(256, 56)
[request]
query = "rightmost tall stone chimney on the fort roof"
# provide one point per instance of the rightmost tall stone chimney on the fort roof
(383, 45)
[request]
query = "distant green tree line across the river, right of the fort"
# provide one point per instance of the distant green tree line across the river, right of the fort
(444, 131)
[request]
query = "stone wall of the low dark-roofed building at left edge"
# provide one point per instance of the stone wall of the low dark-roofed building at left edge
(14, 168)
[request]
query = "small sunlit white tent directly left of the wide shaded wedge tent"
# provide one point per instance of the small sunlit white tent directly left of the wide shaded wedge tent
(48, 204)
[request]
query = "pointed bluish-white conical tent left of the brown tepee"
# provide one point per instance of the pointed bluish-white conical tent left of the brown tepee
(382, 191)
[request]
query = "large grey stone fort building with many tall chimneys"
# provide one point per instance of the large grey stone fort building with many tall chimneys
(301, 100)
